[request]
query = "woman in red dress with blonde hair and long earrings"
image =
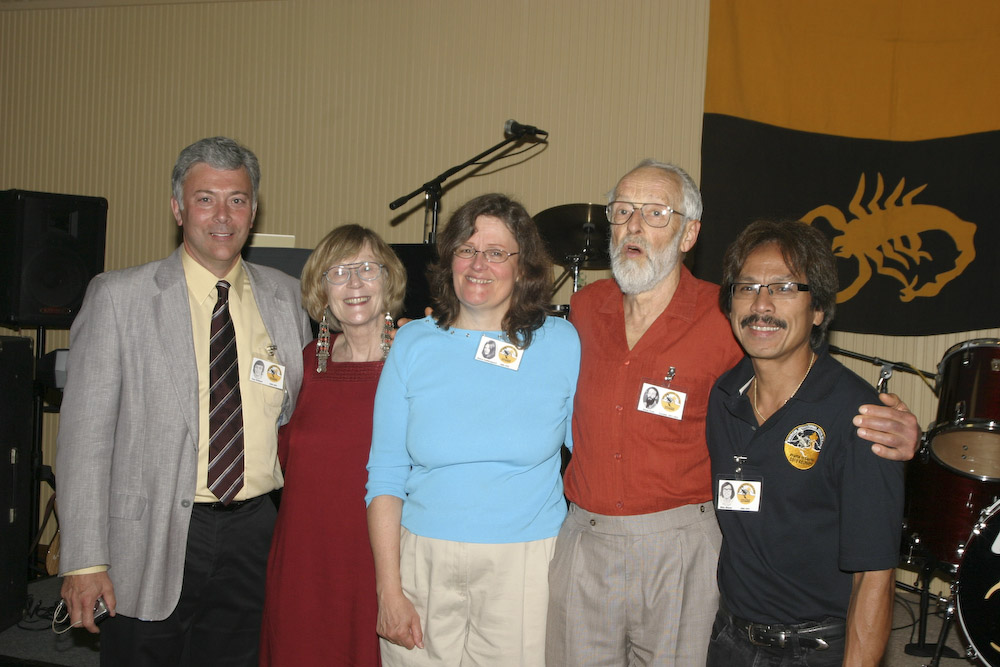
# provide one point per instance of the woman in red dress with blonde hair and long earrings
(321, 607)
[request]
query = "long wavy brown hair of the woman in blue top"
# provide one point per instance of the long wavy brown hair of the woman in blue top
(532, 296)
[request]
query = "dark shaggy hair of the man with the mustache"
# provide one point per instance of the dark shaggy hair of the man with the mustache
(806, 251)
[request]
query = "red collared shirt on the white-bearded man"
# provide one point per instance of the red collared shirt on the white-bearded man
(628, 462)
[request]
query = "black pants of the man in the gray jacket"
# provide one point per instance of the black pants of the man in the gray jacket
(217, 619)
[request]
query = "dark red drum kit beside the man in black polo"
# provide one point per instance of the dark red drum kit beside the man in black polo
(953, 500)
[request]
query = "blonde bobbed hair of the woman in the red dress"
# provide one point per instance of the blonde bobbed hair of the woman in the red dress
(341, 243)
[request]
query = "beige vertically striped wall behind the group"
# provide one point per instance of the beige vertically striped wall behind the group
(352, 104)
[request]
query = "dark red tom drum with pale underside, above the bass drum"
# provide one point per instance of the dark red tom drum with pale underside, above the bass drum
(966, 435)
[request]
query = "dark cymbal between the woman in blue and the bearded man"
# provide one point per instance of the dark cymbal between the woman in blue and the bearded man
(576, 234)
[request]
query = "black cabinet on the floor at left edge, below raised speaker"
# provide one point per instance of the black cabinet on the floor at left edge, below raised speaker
(16, 476)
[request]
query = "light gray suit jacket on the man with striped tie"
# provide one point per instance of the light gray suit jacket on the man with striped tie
(127, 457)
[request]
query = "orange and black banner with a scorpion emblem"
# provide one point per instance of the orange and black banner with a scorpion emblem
(878, 122)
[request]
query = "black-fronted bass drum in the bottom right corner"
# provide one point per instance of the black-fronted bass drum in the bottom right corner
(978, 588)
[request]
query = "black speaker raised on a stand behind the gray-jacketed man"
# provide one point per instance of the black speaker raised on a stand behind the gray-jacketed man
(52, 246)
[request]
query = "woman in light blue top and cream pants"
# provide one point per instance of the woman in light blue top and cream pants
(464, 493)
